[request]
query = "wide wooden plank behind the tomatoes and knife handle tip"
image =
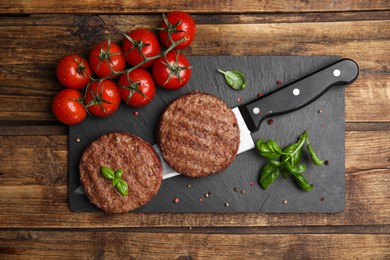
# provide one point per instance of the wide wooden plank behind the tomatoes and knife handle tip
(34, 60)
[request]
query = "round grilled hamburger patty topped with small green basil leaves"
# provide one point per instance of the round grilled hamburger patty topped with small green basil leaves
(141, 166)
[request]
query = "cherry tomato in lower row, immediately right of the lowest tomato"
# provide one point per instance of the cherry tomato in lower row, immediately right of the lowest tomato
(102, 99)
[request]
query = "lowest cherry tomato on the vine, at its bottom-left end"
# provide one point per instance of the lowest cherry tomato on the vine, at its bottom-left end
(67, 108)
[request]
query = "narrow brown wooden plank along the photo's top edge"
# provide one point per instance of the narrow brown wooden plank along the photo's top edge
(137, 6)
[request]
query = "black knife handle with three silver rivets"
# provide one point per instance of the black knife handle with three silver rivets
(298, 93)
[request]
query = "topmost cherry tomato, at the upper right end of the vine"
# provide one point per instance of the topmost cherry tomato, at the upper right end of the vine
(179, 24)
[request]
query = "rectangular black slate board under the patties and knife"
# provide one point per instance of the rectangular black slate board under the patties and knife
(326, 131)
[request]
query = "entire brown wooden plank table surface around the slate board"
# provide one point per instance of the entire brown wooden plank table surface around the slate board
(35, 219)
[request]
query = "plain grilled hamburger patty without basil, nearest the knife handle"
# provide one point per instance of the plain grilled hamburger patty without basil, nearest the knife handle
(198, 135)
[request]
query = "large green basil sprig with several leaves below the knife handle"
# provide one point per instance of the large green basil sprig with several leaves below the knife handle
(289, 163)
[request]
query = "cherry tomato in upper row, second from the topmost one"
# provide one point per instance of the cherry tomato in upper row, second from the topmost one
(141, 39)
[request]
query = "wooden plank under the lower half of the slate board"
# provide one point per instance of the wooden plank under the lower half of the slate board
(43, 201)
